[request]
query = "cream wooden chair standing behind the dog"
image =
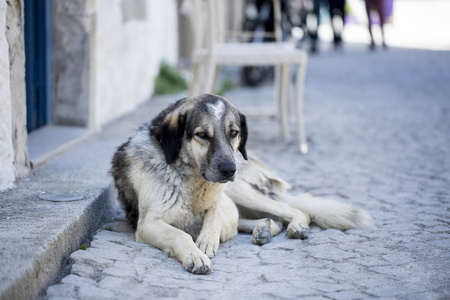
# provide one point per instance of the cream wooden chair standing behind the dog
(211, 52)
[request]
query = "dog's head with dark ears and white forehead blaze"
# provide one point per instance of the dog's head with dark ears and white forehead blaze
(209, 129)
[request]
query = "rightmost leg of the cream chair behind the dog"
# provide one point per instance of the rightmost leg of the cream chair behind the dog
(300, 90)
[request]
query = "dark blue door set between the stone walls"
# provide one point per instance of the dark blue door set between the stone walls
(37, 15)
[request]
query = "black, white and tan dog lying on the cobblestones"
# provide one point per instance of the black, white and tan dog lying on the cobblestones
(180, 180)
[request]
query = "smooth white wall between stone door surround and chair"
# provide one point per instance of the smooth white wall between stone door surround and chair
(128, 52)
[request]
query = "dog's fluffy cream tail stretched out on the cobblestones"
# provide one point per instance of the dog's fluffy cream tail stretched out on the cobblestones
(328, 213)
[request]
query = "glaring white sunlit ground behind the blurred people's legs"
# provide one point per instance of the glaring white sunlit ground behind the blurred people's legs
(420, 24)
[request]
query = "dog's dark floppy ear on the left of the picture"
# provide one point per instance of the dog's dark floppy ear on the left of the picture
(168, 129)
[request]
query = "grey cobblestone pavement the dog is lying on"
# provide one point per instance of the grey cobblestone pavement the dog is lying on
(378, 126)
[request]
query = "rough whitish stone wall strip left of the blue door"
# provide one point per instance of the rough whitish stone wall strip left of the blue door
(13, 137)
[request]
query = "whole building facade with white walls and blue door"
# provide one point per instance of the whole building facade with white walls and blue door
(80, 63)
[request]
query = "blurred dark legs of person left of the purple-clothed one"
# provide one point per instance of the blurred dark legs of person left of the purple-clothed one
(337, 16)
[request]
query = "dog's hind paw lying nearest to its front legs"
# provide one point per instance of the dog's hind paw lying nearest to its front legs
(262, 229)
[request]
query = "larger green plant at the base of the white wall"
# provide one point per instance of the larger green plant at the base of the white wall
(169, 80)
